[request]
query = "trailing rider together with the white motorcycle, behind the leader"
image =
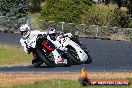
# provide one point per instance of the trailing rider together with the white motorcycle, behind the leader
(69, 41)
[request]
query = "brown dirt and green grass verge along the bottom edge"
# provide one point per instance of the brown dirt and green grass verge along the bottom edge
(51, 80)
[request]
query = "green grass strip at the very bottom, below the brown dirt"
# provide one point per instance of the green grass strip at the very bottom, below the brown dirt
(64, 84)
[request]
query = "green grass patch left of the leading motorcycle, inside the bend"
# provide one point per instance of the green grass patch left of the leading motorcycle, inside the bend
(10, 54)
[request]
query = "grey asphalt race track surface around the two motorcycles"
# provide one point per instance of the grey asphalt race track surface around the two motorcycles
(107, 55)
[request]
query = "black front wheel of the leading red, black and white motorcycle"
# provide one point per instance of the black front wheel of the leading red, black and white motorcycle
(45, 60)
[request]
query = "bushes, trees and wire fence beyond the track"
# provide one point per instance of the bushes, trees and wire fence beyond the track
(109, 19)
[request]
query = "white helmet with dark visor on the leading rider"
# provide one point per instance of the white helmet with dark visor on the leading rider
(25, 30)
